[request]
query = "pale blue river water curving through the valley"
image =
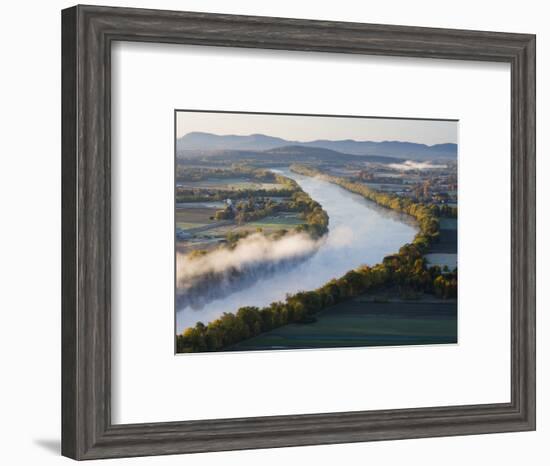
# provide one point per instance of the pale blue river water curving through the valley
(360, 232)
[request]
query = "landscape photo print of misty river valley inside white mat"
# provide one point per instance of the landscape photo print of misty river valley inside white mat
(325, 243)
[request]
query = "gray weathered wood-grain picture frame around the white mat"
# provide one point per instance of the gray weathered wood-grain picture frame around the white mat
(87, 34)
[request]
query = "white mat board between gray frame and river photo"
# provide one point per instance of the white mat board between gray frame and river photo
(477, 370)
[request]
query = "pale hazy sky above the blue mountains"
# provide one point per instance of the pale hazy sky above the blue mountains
(308, 128)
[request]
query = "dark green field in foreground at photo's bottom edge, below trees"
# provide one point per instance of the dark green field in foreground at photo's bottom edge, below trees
(361, 323)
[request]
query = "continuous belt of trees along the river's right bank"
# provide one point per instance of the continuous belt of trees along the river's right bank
(406, 270)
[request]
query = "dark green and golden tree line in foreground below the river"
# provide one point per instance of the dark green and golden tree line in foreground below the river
(406, 268)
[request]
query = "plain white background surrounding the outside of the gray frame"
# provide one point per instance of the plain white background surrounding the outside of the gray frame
(30, 232)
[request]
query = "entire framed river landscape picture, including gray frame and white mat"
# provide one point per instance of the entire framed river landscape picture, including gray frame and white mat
(264, 220)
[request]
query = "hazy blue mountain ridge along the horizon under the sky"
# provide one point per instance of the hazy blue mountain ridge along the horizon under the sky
(207, 144)
